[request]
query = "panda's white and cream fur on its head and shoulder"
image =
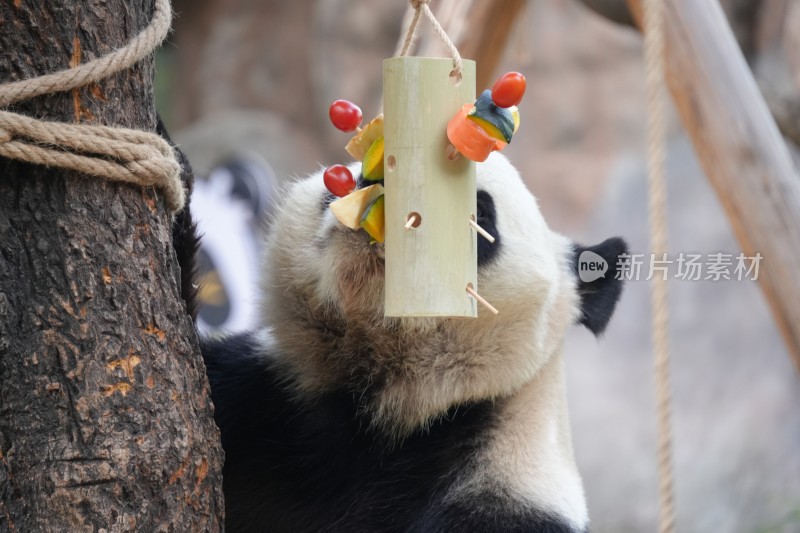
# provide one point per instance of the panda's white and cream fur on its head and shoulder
(325, 332)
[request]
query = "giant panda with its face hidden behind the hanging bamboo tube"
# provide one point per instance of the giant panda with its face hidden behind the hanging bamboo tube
(335, 418)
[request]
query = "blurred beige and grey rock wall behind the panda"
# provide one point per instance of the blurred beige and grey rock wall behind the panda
(253, 79)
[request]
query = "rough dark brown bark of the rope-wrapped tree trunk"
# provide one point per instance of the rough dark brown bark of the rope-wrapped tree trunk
(105, 418)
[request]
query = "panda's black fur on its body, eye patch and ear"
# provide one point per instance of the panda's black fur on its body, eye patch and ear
(297, 462)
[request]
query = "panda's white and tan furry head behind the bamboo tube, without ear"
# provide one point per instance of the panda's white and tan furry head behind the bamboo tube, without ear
(324, 301)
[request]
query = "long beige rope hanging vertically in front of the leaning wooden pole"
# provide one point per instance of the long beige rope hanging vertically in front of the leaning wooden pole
(656, 122)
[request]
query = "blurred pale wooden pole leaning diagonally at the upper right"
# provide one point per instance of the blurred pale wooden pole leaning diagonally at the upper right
(739, 147)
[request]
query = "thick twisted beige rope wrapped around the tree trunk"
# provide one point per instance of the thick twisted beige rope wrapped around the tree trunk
(117, 154)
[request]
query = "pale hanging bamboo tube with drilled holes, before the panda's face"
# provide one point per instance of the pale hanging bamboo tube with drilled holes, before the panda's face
(429, 264)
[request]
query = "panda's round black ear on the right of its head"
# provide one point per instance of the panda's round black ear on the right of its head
(599, 272)
